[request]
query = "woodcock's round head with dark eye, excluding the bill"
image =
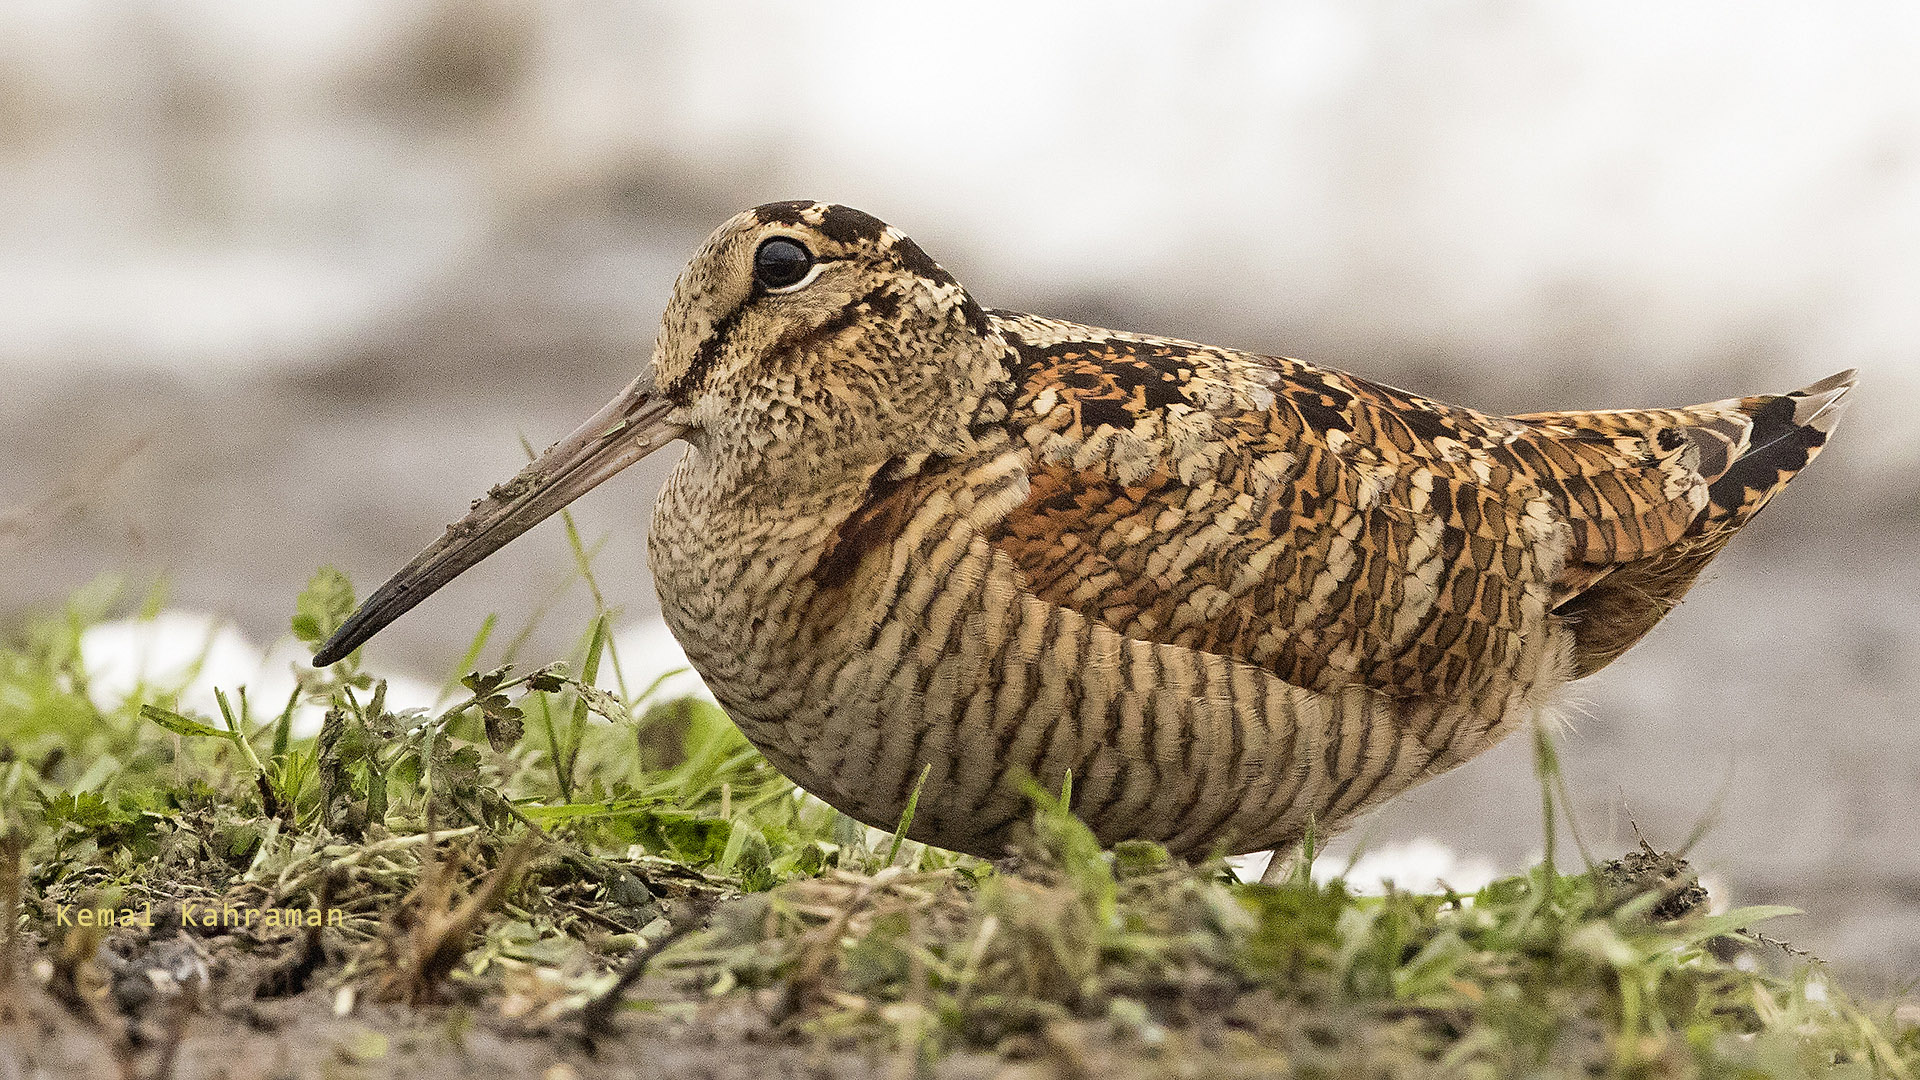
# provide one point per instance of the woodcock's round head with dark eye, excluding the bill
(819, 339)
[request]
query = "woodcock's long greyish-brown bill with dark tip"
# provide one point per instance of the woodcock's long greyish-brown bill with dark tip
(629, 430)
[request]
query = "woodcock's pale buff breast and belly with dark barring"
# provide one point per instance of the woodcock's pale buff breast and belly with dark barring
(932, 664)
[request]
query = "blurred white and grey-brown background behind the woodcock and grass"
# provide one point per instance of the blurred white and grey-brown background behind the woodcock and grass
(287, 285)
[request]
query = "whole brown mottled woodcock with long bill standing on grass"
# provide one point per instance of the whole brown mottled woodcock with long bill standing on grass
(1232, 595)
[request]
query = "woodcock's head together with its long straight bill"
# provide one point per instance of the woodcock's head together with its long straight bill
(804, 343)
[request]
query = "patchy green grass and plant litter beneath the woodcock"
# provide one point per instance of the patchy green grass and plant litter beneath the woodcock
(523, 845)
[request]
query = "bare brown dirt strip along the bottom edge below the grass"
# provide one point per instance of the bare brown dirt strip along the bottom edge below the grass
(214, 1004)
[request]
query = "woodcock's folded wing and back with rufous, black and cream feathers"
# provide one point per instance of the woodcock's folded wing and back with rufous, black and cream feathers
(1318, 526)
